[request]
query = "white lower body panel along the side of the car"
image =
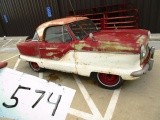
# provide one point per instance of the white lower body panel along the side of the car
(84, 63)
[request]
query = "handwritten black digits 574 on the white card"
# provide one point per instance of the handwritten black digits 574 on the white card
(34, 105)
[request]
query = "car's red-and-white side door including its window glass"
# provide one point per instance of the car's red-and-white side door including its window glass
(56, 50)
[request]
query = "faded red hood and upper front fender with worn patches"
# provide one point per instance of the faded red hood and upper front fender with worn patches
(121, 40)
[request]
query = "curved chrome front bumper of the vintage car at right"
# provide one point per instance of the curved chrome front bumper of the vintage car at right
(147, 67)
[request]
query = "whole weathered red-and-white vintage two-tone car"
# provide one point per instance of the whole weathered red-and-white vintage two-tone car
(76, 45)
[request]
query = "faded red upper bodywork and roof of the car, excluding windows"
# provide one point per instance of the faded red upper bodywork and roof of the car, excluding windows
(104, 41)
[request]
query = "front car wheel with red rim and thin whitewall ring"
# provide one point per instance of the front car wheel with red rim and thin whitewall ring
(109, 81)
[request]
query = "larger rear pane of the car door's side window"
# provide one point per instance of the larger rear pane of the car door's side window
(54, 34)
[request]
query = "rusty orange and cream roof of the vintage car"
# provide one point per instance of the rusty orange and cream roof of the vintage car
(60, 21)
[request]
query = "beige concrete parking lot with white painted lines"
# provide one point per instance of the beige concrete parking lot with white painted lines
(136, 100)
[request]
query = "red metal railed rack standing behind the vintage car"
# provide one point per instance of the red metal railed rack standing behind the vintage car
(117, 16)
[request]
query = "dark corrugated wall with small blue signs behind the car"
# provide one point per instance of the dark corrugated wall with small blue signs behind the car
(22, 17)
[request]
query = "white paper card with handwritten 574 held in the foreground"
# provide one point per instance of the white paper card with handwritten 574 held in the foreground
(26, 97)
